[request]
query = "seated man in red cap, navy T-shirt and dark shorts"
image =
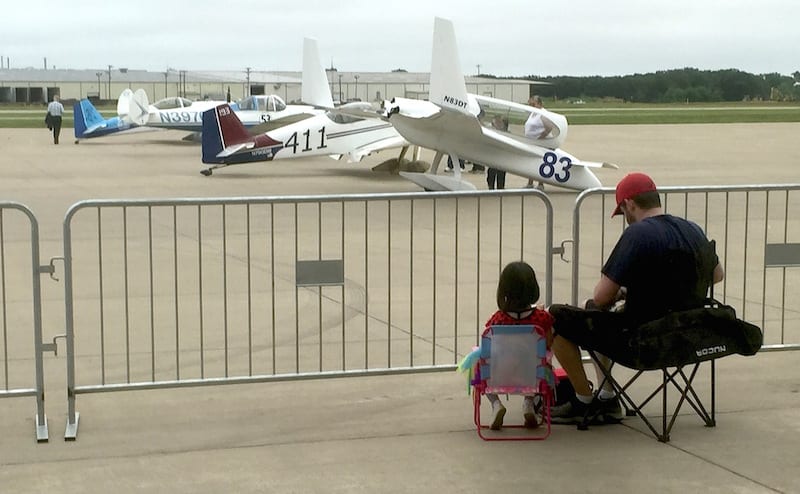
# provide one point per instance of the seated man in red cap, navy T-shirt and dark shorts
(660, 264)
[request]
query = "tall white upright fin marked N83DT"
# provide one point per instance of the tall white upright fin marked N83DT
(447, 88)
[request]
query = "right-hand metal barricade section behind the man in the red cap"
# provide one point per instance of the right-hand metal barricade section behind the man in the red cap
(757, 231)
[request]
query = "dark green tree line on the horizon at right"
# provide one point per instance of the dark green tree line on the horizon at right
(679, 85)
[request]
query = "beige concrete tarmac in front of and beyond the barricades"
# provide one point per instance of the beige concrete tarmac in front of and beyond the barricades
(411, 433)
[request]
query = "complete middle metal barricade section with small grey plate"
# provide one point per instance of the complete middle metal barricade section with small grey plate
(193, 292)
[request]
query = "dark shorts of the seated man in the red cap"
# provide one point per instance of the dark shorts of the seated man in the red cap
(593, 329)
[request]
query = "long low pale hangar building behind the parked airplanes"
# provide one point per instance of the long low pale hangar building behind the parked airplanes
(37, 86)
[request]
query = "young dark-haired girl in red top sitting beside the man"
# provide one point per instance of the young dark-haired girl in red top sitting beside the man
(517, 292)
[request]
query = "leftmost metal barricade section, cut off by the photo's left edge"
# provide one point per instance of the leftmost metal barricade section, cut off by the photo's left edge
(21, 360)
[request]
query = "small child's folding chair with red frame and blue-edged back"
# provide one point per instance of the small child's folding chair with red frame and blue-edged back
(514, 360)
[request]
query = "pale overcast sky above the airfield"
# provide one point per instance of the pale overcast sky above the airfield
(504, 37)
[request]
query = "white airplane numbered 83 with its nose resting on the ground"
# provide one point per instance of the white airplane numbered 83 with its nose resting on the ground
(456, 123)
